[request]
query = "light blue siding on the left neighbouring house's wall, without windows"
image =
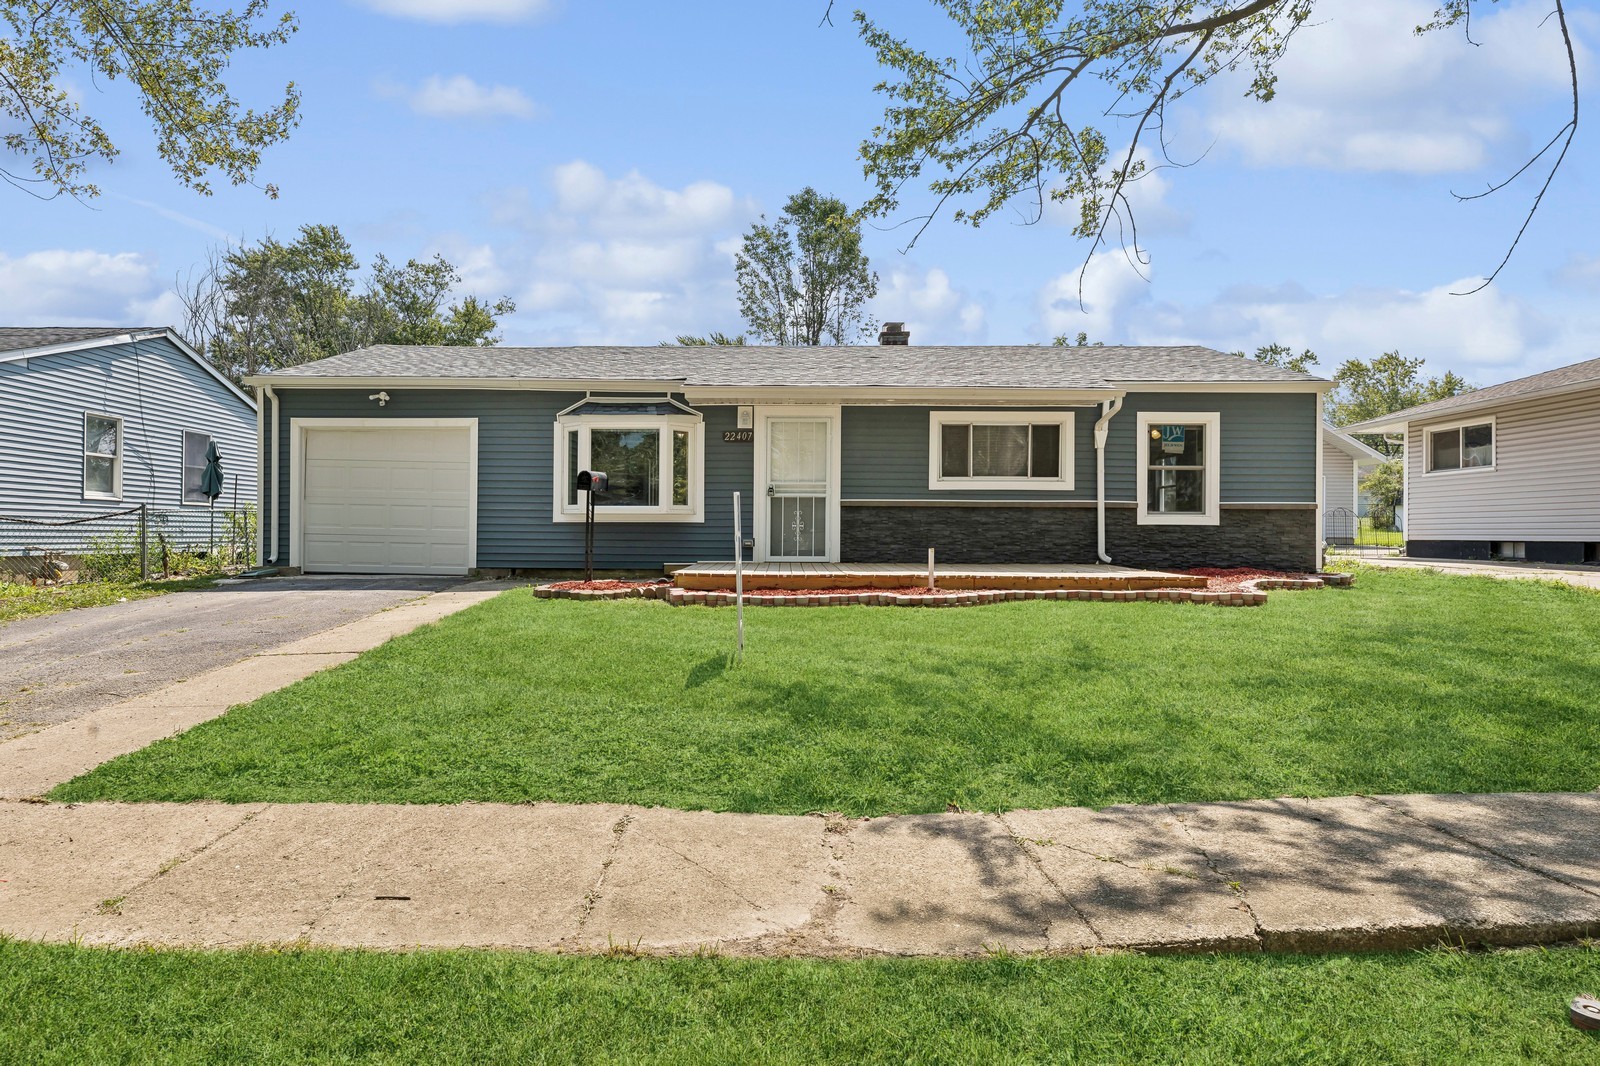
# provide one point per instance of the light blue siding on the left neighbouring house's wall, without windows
(154, 388)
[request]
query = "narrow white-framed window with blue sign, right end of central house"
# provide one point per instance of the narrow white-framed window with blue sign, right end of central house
(1180, 468)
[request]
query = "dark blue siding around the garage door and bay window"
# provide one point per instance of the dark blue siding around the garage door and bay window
(516, 471)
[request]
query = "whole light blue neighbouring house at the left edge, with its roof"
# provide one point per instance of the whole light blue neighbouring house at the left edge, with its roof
(98, 420)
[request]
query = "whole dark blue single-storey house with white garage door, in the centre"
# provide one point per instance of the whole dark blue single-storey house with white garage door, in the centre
(449, 460)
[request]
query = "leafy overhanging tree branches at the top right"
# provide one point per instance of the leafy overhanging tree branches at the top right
(1020, 113)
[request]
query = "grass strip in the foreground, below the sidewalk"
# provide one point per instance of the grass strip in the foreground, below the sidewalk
(62, 1004)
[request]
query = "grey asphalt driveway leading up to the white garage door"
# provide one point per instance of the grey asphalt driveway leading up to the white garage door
(62, 667)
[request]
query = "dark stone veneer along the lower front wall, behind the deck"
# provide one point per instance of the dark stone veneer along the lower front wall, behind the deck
(1271, 539)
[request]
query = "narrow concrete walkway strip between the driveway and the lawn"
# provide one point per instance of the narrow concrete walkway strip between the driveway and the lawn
(36, 763)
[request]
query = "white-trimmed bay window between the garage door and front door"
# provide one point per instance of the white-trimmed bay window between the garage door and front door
(652, 454)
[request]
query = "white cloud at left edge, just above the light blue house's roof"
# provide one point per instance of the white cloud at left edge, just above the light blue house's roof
(82, 287)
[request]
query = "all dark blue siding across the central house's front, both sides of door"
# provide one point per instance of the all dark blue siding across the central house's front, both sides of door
(1270, 447)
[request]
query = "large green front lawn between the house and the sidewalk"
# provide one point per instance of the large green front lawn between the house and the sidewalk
(1409, 683)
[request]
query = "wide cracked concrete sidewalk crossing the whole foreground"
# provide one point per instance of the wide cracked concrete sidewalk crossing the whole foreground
(1350, 873)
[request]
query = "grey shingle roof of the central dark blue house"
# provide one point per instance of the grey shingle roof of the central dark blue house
(870, 366)
